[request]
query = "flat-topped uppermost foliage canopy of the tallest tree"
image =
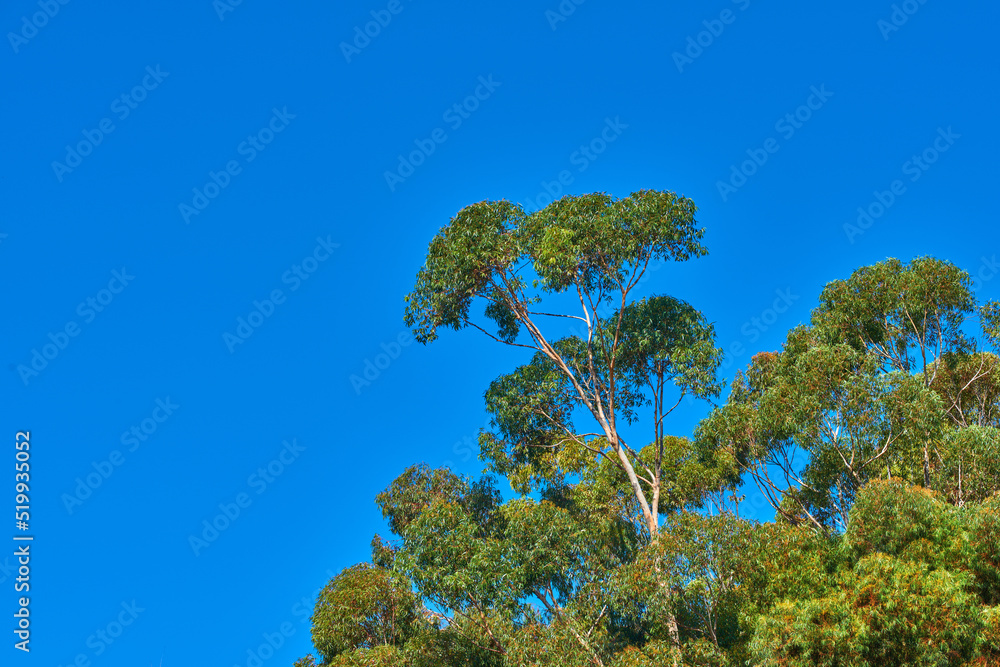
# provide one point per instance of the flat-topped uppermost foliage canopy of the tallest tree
(593, 241)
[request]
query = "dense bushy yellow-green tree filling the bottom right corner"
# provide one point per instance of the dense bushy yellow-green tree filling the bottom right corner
(911, 589)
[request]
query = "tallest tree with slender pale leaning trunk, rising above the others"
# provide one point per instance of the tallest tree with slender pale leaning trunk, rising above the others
(598, 249)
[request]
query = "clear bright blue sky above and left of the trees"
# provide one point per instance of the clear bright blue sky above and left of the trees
(199, 225)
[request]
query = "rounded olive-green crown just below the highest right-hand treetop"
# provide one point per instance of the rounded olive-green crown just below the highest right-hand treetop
(834, 404)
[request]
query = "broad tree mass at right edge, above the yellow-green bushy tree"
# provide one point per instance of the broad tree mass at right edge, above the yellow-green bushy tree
(873, 389)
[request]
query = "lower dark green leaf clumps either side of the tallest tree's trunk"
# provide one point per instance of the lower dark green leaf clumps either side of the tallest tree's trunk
(662, 341)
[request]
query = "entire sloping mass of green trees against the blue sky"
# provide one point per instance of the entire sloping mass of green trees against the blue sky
(874, 433)
